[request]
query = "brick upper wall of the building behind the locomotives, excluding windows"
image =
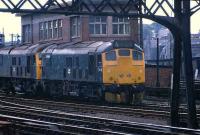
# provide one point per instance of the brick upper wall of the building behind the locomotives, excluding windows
(85, 35)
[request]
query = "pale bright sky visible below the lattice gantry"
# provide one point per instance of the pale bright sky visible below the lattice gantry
(12, 24)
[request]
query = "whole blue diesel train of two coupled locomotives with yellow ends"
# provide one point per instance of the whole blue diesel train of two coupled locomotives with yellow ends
(112, 70)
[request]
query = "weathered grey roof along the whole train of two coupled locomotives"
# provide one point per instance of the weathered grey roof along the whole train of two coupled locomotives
(70, 47)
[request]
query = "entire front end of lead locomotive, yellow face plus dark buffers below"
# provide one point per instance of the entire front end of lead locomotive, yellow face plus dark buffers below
(124, 75)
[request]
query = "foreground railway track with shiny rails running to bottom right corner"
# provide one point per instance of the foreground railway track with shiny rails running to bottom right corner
(73, 123)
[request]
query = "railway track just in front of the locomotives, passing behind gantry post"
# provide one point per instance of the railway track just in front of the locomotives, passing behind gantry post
(160, 111)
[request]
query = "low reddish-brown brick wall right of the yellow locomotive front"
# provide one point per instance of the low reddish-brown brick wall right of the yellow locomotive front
(151, 76)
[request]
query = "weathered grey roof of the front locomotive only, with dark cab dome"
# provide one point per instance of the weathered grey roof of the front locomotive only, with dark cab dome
(90, 46)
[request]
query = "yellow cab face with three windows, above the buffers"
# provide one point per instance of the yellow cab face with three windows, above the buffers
(123, 67)
